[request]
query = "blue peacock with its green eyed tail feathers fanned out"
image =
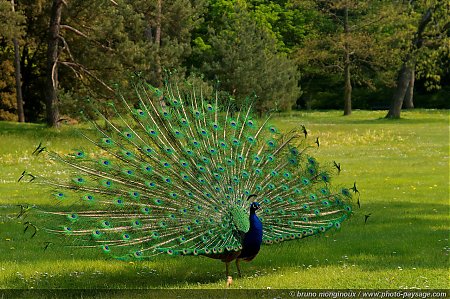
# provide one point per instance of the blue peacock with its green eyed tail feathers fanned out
(176, 173)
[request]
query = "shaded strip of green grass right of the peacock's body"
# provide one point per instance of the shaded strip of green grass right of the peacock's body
(397, 234)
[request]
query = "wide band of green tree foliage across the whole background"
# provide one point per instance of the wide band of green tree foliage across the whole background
(257, 50)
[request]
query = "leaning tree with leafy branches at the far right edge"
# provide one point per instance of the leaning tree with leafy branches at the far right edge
(426, 49)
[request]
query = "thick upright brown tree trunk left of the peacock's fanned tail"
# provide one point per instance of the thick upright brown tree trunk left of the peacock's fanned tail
(52, 65)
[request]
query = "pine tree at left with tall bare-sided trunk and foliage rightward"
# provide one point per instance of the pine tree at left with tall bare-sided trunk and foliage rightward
(91, 43)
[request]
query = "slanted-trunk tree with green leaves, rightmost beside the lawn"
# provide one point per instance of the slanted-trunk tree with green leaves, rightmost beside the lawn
(427, 45)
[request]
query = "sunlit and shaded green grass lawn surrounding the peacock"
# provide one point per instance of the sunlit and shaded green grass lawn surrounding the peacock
(402, 171)
